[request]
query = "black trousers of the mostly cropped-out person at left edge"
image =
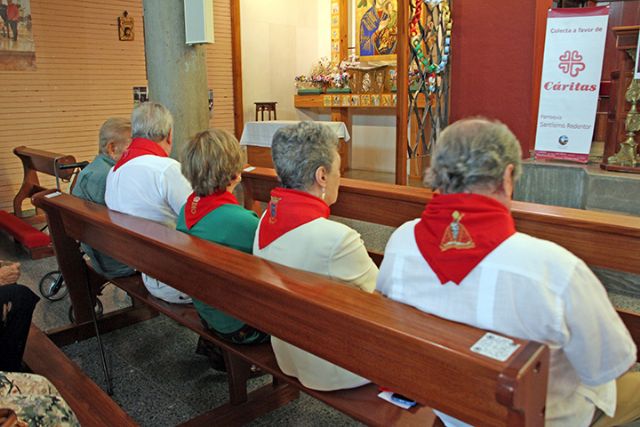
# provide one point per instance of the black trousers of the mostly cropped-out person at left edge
(14, 327)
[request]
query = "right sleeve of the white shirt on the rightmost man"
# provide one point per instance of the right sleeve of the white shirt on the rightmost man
(597, 343)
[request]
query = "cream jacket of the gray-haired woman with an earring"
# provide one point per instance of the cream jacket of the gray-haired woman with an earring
(332, 249)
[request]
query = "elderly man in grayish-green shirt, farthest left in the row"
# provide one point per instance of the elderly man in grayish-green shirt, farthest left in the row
(114, 138)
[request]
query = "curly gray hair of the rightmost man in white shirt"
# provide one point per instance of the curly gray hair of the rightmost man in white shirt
(472, 155)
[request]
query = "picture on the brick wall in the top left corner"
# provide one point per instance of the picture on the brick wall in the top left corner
(17, 48)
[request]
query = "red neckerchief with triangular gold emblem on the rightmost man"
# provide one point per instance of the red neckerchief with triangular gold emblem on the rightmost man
(457, 231)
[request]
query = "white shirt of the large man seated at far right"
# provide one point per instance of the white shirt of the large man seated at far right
(531, 289)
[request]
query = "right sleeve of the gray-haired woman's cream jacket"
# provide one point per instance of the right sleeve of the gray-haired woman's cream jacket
(351, 263)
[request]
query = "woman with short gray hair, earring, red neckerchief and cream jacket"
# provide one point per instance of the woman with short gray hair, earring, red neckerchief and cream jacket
(296, 231)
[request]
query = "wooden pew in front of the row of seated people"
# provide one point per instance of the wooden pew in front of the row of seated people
(601, 239)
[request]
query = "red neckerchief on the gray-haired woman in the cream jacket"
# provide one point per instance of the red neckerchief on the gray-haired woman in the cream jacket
(289, 209)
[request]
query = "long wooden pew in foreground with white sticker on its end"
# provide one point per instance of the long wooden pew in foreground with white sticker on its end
(413, 353)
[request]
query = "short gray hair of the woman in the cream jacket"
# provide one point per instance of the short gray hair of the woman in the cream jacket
(299, 150)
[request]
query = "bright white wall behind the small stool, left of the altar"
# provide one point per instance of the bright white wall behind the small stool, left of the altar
(280, 39)
